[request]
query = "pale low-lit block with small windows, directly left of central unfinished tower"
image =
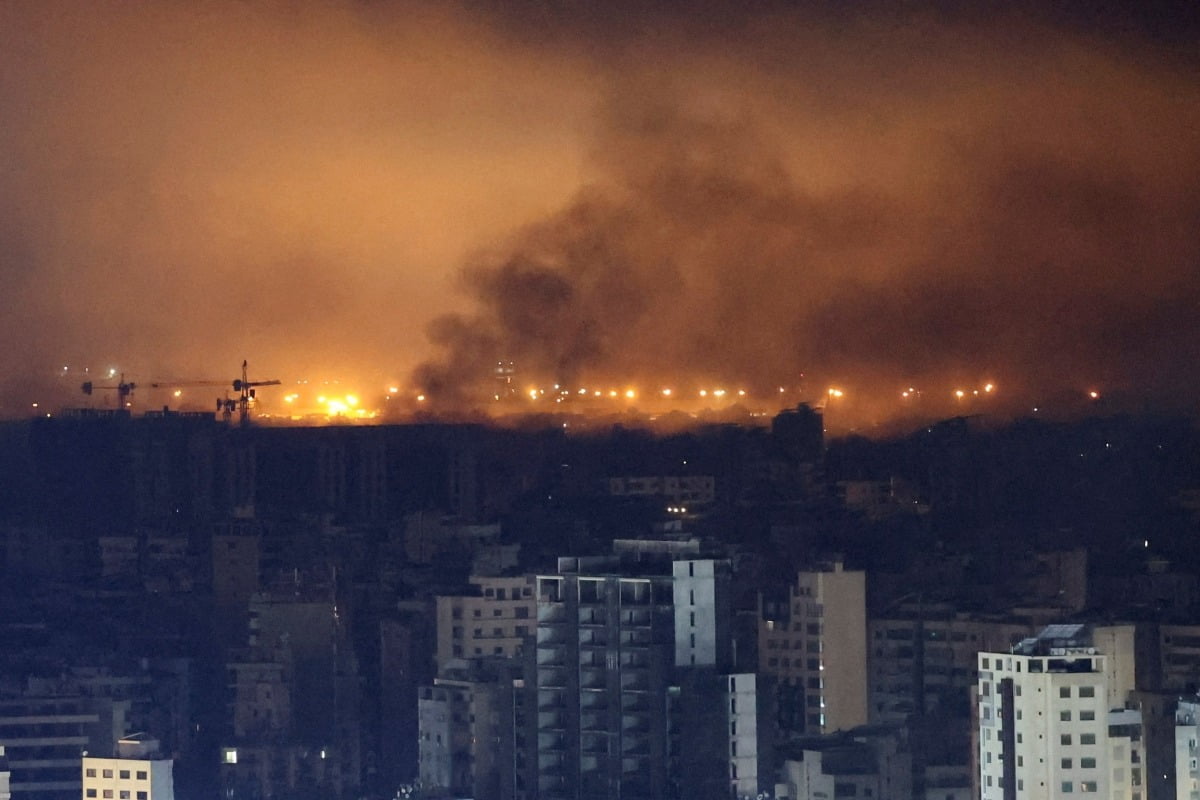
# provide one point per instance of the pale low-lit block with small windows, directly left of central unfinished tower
(495, 621)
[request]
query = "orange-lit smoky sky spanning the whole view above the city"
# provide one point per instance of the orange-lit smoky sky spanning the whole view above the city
(873, 201)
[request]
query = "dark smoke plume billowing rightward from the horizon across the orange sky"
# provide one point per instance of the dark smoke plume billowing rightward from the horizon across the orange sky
(941, 204)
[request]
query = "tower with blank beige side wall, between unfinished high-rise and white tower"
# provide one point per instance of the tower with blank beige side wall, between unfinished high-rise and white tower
(814, 643)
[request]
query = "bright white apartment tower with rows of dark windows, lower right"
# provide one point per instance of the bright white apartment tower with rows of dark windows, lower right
(1045, 725)
